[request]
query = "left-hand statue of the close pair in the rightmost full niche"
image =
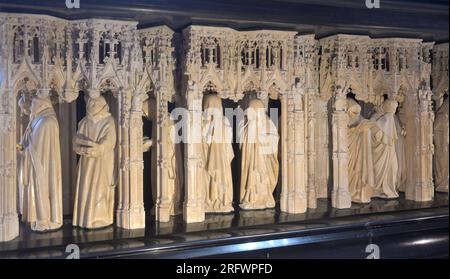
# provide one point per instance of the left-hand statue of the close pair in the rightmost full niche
(360, 164)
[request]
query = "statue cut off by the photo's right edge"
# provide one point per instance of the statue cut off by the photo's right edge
(441, 143)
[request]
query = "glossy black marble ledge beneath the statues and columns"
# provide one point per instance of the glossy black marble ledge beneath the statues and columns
(225, 234)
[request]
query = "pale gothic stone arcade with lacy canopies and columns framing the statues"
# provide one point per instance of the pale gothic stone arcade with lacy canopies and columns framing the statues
(47, 56)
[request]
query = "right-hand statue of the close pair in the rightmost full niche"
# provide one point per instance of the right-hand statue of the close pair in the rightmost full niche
(384, 138)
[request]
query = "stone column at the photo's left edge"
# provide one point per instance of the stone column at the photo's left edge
(9, 222)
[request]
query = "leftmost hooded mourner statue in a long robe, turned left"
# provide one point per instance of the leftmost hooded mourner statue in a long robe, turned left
(40, 168)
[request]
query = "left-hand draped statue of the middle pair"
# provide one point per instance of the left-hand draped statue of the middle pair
(217, 156)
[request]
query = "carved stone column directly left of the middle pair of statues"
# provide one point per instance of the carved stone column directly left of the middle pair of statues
(194, 203)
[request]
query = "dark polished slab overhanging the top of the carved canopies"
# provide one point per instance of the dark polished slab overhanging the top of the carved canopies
(427, 19)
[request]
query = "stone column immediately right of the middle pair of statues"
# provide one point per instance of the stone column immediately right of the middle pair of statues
(293, 165)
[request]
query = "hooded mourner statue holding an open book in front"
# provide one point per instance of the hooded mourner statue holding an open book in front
(95, 142)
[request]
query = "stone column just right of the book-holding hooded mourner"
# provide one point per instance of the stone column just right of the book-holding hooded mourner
(130, 212)
